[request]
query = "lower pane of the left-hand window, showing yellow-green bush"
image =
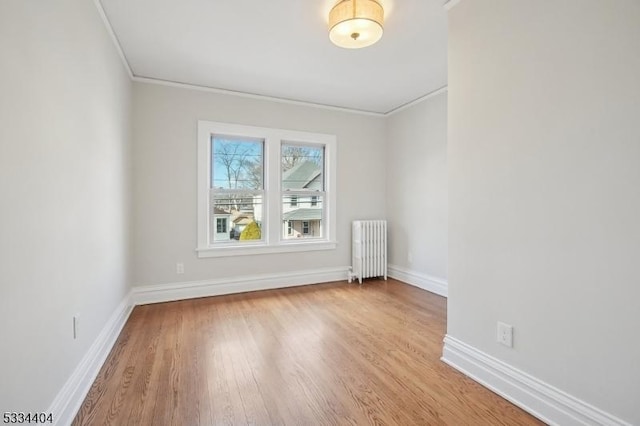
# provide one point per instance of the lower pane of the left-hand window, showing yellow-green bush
(236, 217)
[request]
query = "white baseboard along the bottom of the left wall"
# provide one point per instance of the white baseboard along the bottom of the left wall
(68, 401)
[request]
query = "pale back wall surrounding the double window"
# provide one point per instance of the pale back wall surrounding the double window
(165, 124)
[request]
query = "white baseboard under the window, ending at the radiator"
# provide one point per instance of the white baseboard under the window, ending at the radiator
(188, 290)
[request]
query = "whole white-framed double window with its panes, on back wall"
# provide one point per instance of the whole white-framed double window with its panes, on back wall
(264, 190)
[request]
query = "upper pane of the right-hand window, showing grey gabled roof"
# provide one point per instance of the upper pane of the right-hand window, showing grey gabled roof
(302, 168)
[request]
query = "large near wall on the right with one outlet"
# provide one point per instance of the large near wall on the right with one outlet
(544, 150)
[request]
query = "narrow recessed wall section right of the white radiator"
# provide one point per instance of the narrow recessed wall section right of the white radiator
(417, 190)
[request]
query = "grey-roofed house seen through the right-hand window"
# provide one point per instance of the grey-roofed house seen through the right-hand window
(302, 212)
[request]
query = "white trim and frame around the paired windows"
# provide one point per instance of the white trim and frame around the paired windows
(273, 241)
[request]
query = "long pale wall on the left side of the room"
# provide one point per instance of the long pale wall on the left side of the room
(64, 202)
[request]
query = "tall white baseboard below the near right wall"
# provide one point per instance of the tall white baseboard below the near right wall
(542, 400)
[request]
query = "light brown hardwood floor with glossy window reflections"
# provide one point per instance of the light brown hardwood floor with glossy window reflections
(325, 354)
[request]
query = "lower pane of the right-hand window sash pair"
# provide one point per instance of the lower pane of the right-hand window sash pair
(303, 220)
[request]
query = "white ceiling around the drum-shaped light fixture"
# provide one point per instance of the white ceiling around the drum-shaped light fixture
(281, 48)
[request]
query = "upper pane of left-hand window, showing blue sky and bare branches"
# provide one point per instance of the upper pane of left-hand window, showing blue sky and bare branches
(236, 163)
